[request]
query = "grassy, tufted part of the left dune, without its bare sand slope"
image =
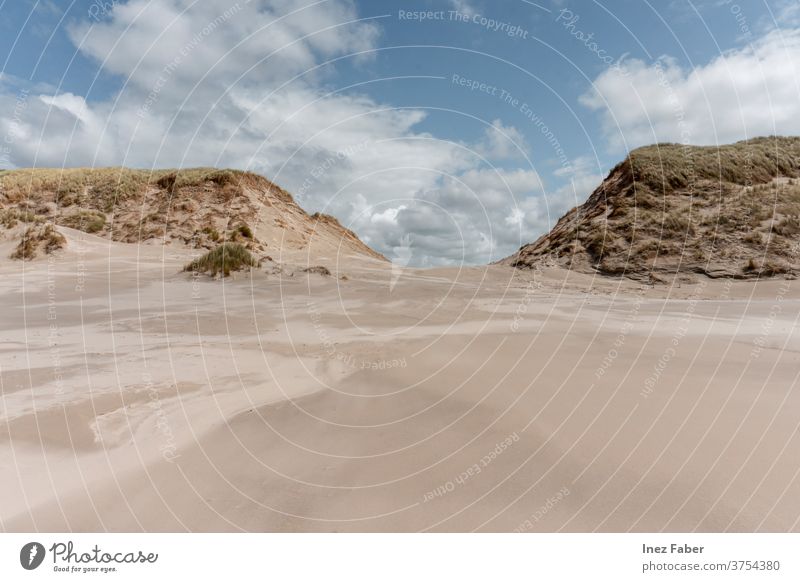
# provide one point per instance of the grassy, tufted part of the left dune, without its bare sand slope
(191, 205)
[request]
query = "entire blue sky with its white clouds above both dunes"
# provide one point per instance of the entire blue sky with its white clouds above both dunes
(462, 128)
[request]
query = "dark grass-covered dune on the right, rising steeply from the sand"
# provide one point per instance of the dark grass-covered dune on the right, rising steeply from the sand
(726, 211)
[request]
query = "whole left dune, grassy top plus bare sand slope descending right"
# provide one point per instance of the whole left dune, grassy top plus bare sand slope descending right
(200, 207)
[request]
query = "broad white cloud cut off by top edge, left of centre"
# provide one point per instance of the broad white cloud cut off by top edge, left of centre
(214, 43)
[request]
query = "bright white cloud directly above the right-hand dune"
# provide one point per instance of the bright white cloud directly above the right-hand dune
(743, 93)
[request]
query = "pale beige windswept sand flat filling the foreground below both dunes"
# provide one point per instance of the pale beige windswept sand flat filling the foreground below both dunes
(138, 398)
